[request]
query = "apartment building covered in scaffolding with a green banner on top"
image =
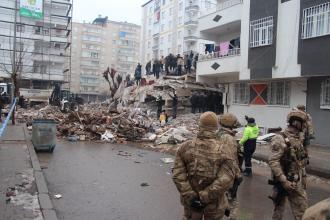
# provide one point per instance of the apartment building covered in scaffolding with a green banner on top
(42, 44)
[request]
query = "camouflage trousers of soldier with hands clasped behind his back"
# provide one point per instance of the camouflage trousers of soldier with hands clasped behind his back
(211, 212)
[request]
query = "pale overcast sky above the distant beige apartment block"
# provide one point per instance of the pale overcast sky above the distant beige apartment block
(116, 10)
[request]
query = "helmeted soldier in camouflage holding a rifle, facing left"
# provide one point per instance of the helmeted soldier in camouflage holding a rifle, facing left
(287, 162)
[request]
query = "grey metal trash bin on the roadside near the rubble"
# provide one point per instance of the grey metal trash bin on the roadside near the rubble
(44, 134)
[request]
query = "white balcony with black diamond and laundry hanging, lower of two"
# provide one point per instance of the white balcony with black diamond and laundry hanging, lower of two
(219, 63)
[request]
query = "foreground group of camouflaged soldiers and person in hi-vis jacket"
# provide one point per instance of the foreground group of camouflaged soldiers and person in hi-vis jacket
(208, 169)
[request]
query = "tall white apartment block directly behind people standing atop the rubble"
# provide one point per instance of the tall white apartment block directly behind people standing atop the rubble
(171, 26)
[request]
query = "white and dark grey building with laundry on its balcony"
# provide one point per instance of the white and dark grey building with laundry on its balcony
(268, 57)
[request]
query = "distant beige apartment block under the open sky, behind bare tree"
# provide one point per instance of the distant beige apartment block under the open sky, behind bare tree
(97, 46)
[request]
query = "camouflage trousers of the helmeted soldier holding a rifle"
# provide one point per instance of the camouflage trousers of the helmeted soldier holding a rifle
(298, 203)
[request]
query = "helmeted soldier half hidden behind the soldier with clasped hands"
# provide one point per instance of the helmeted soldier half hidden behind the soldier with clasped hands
(226, 135)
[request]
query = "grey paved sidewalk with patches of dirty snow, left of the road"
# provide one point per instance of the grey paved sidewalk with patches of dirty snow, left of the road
(23, 190)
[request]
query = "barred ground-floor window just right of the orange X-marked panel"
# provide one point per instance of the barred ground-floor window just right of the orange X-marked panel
(279, 93)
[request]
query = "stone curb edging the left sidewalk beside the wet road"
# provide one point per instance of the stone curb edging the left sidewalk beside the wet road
(45, 201)
